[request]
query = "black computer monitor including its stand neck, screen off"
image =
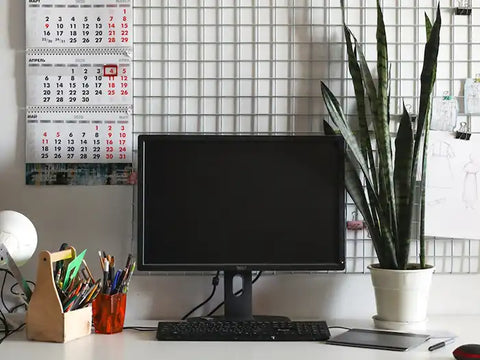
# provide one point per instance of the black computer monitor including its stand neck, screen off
(239, 203)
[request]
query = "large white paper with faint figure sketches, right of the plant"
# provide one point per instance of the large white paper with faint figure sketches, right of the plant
(452, 187)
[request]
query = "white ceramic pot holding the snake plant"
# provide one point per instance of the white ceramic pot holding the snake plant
(401, 297)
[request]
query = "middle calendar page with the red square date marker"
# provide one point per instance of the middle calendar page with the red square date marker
(78, 77)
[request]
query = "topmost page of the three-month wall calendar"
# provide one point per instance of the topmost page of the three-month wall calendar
(68, 23)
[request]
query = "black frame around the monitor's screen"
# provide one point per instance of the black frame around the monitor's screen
(339, 265)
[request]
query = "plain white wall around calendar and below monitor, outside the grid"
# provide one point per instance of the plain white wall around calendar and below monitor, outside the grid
(100, 218)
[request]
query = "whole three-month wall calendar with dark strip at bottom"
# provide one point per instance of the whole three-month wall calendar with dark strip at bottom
(79, 92)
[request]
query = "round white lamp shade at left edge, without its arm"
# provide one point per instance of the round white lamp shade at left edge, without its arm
(18, 235)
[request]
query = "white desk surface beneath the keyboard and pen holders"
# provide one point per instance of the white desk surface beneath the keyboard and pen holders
(135, 345)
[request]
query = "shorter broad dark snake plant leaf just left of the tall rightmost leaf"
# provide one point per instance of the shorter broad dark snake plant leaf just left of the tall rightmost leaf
(403, 186)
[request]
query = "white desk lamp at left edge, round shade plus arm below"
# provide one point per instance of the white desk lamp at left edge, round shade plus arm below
(18, 241)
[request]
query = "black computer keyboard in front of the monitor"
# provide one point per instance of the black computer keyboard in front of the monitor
(223, 330)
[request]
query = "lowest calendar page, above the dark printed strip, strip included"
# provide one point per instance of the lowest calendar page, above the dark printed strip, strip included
(79, 146)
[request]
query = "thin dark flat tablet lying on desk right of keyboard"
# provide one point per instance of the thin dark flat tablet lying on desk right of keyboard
(375, 339)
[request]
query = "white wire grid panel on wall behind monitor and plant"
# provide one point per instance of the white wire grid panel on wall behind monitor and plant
(255, 66)
